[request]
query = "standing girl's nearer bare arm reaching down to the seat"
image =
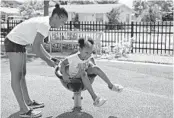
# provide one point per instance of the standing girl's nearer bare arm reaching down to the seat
(39, 50)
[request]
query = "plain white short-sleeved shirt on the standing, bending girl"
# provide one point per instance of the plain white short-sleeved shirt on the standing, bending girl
(25, 32)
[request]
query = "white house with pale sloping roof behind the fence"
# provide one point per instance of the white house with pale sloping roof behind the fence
(97, 12)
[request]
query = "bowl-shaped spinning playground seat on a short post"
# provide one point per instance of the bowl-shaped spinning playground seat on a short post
(75, 85)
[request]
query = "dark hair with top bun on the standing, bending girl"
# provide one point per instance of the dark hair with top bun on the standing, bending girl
(60, 11)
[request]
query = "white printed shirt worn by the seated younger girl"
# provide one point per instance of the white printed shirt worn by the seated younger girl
(74, 62)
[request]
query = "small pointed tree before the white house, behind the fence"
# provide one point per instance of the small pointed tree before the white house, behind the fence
(113, 17)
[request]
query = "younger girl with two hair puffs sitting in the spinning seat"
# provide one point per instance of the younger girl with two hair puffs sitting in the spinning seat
(82, 64)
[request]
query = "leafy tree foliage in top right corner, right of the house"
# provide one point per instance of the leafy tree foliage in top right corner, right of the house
(151, 11)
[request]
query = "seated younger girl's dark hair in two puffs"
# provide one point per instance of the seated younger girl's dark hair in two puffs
(85, 43)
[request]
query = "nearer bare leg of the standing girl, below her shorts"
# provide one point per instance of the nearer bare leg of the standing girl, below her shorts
(16, 69)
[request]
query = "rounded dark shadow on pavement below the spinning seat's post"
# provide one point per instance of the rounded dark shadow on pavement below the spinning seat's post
(74, 115)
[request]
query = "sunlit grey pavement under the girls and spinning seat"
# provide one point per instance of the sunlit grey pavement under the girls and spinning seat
(148, 91)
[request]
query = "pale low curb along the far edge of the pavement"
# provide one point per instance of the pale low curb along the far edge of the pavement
(98, 59)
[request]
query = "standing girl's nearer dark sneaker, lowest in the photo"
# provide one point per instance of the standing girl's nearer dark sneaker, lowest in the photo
(31, 114)
